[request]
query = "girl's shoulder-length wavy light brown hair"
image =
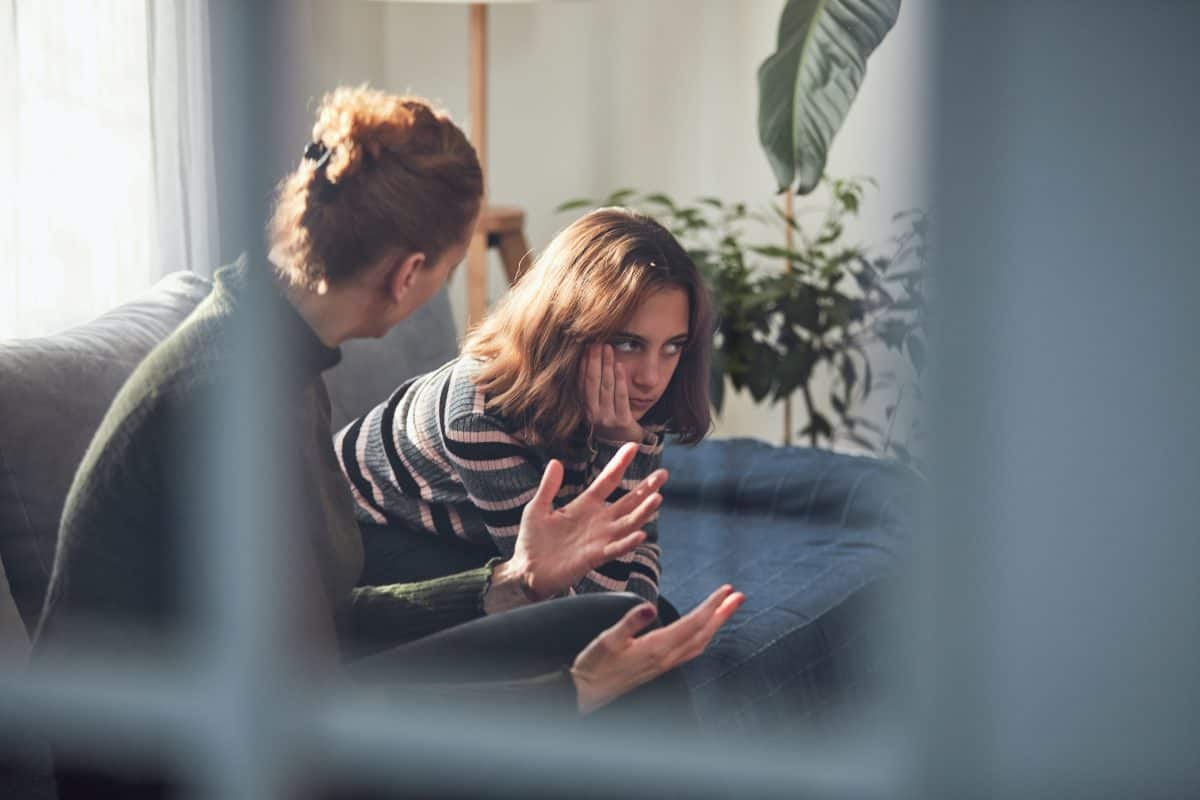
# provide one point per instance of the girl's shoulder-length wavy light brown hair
(584, 290)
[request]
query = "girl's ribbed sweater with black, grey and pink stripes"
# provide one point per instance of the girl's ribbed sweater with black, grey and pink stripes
(434, 458)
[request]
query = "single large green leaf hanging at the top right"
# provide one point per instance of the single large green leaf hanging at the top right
(807, 87)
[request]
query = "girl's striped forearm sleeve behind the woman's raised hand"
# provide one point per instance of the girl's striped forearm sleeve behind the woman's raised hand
(638, 572)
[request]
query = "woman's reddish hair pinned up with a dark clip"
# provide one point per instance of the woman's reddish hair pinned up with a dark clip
(383, 172)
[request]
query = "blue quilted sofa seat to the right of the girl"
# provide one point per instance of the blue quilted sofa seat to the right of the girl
(811, 537)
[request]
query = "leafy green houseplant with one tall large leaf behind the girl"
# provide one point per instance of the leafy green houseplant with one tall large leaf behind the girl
(825, 306)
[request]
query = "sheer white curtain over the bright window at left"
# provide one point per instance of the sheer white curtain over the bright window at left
(109, 183)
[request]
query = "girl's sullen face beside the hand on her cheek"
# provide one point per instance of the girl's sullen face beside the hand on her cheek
(650, 346)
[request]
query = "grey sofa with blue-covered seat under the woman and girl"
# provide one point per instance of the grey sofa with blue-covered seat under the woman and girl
(812, 537)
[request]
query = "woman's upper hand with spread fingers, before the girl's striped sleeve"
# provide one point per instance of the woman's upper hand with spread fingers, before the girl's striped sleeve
(557, 548)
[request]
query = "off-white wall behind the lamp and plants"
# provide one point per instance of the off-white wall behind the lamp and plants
(595, 95)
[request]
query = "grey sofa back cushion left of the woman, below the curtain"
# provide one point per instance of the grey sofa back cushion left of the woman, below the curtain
(55, 390)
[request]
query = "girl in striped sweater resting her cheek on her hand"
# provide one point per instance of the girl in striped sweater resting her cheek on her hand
(605, 340)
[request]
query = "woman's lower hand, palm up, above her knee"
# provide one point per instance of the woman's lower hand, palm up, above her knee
(619, 660)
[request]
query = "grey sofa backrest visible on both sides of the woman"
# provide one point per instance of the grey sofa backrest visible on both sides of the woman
(55, 392)
